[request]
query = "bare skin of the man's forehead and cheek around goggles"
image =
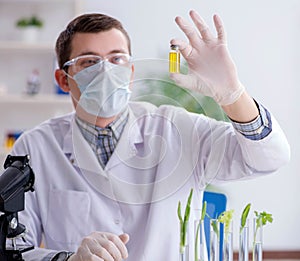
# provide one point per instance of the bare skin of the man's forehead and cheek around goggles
(101, 44)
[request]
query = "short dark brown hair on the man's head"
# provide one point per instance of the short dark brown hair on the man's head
(87, 23)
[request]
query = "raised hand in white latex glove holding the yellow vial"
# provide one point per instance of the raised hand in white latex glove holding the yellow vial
(211, 69)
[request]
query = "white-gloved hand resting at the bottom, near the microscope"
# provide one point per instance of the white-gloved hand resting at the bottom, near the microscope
(102, 246)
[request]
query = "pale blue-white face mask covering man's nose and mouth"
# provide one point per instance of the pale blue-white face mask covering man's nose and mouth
(104, 89)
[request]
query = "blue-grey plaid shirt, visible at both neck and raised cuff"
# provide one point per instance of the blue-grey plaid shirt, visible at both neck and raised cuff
(104, 140)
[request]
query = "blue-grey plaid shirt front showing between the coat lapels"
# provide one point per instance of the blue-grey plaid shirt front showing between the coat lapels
(103, 140)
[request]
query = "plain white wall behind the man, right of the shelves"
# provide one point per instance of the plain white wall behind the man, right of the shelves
(263, 38)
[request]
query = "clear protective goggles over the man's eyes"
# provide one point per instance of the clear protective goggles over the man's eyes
(84, 61)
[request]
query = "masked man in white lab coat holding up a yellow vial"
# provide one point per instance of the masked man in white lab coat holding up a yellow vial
(109, 176)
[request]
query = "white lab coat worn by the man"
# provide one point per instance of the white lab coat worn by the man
(162, 154)
